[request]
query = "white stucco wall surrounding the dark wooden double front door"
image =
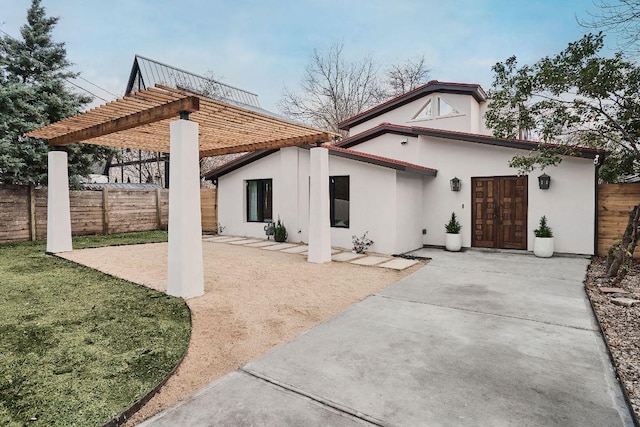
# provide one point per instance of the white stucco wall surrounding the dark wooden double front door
(568, 204)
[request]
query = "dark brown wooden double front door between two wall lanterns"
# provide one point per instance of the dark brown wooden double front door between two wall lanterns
(499, 212)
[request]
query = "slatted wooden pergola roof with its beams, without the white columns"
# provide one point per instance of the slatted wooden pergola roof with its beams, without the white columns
(141, 121)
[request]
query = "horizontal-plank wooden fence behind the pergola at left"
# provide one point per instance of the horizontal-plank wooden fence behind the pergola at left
(23, 211)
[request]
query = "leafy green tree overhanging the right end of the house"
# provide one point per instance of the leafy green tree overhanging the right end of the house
(574, 98)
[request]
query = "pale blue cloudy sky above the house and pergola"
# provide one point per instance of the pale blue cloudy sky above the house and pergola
(264, 46)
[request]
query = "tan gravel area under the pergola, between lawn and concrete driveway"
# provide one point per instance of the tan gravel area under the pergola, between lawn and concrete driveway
(254, 300)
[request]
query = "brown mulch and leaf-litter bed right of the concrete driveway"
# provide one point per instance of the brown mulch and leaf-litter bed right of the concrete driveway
(621, 324)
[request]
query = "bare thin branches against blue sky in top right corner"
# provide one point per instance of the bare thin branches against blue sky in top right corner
(621, 17)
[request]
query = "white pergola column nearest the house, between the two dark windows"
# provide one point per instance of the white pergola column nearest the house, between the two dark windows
(319, 221)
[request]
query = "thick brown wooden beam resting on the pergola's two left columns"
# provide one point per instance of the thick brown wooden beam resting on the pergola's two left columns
(151, 115)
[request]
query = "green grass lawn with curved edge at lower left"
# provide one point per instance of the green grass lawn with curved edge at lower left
(77, 347)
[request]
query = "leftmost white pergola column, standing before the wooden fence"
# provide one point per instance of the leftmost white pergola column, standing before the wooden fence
(58, 209)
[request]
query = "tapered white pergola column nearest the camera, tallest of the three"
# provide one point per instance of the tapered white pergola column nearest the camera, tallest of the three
(185, 271)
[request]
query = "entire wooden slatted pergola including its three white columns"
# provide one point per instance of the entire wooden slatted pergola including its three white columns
(187, 126)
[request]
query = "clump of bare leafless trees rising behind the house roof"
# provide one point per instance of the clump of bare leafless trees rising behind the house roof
(333, 89)
